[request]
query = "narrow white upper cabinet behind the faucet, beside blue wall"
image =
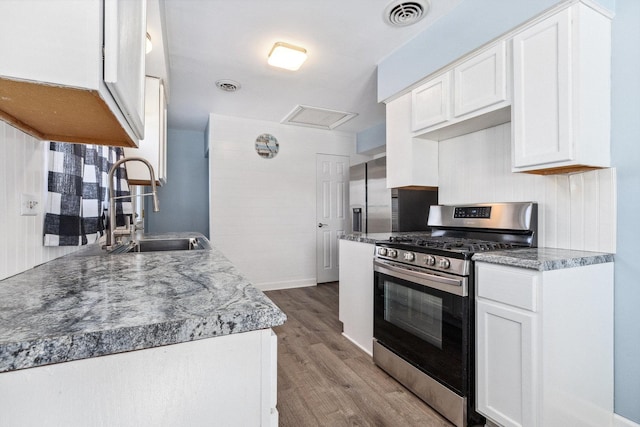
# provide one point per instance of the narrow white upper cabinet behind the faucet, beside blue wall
(153, 147)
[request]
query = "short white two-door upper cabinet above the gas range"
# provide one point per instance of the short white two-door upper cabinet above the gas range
(472, 95)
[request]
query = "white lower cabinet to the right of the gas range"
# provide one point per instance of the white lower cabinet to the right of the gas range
(544, 345)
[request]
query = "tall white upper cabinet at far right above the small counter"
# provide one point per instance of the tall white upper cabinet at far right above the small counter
(561, 93)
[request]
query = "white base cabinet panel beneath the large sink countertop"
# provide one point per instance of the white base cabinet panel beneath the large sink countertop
(224, 381)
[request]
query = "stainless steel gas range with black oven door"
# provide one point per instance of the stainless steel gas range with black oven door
(424, 292)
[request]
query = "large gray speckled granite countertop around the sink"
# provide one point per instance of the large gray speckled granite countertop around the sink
(91, 303)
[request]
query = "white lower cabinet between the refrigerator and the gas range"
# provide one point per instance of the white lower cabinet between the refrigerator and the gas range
(356, 292)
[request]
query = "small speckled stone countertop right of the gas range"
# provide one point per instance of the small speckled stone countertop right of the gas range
(544, 259)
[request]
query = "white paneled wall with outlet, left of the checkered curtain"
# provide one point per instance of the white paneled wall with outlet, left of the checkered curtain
(22, 170)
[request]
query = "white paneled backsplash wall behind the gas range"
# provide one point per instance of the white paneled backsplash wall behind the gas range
(576, 211)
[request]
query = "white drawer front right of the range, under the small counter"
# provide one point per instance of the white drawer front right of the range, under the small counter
(513, 286)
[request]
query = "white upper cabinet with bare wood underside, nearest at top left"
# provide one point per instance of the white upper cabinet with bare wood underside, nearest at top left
(52, 72)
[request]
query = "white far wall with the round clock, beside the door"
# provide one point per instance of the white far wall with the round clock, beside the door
(263, 211)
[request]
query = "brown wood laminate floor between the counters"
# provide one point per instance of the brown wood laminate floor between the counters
(325, 380)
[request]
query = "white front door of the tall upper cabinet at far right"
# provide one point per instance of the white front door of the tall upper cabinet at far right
(541, 93)
